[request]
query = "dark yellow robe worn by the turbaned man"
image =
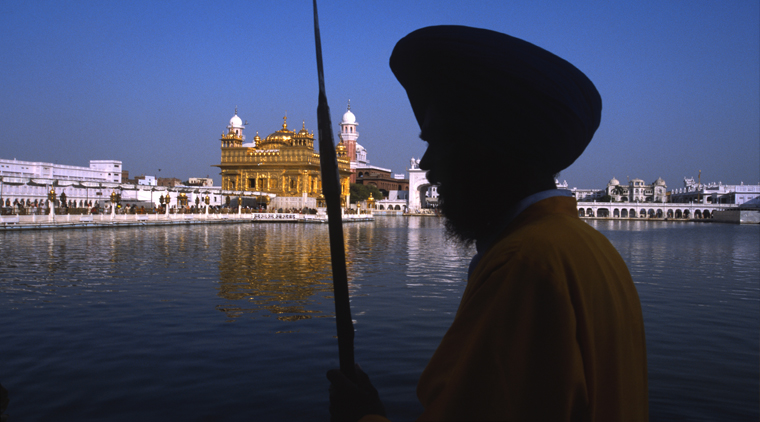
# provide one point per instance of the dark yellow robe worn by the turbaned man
(549, 329)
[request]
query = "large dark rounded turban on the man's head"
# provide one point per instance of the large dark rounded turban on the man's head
(515, 96)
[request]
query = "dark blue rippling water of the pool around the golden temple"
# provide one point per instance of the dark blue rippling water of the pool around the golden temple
(235, 322)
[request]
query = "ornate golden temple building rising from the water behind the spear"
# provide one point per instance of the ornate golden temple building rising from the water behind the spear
(283, 166)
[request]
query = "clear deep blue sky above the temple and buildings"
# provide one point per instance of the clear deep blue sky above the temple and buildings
(154, 83)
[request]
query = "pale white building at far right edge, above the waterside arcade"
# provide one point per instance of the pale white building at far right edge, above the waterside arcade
(714, 193)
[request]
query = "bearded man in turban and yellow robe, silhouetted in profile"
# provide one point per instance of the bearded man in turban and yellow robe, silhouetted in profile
(550, 325)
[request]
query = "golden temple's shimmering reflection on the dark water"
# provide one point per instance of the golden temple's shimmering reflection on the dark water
(281, 268)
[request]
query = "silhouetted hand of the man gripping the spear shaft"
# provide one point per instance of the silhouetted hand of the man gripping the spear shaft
(351, 401)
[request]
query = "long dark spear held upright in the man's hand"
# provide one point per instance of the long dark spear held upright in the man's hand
(331, 189)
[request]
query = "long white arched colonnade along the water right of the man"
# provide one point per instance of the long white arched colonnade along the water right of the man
(636, 210)
